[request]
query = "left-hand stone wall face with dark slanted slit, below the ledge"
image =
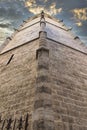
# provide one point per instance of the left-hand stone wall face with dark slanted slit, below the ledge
(17, 85)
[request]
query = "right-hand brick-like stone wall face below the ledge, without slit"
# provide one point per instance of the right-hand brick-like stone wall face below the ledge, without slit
(68, 72)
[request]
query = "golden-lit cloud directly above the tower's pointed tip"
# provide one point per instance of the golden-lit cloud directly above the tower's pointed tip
(36, 9)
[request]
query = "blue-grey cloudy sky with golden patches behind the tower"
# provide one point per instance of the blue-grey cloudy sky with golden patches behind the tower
(14, 12)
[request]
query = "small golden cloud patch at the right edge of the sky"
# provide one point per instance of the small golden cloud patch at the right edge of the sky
(80, 14)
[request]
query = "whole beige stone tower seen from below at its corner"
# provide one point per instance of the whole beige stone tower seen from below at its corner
(43, 78)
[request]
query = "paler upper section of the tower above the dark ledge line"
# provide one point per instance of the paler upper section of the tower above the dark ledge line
(55, 29)
